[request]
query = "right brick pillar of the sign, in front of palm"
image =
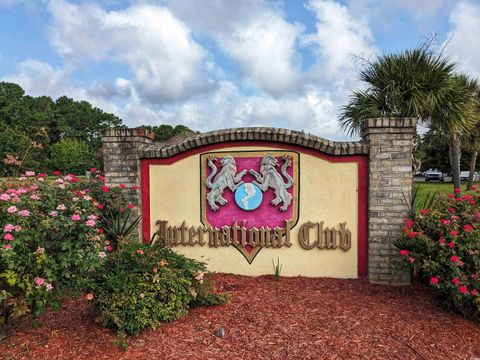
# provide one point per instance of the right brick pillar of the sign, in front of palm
(391, 143)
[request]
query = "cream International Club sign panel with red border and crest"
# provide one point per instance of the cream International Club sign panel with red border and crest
(240, 206)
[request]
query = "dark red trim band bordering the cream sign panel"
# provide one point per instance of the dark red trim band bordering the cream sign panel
(361, 160)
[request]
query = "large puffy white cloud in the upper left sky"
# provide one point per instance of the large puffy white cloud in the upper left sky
(159, 50)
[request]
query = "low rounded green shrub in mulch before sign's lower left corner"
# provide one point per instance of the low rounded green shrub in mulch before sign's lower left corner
(142, 285)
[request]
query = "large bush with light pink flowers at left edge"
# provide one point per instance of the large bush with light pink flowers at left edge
(52, 239)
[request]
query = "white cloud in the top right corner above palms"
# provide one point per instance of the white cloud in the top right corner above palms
(464, 45)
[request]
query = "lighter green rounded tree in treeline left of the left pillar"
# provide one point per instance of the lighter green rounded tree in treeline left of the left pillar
(72, 156)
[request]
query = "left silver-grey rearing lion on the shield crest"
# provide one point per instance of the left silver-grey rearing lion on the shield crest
(226, 178)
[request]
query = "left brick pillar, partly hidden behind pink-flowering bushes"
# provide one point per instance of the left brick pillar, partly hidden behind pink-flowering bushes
(121, 164)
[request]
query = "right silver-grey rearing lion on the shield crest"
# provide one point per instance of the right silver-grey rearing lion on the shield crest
(269, 177)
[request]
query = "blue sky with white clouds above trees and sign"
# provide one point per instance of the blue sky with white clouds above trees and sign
(213, 64)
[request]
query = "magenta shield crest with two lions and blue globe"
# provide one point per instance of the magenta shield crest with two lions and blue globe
(253, 188)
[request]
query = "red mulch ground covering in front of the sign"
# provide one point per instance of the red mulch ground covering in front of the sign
(296, 318)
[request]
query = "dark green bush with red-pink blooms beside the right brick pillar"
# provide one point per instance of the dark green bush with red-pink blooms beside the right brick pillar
(442, 245)
